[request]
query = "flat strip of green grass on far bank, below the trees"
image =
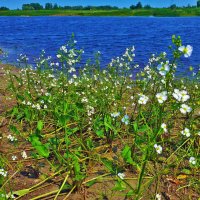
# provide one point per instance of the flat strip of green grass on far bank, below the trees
(153, 12)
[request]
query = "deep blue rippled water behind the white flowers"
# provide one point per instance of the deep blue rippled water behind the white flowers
(110, 35)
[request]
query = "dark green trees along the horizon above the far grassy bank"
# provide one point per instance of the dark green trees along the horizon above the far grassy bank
(50, 6)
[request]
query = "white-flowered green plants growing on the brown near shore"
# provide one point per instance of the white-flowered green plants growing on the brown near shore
(92, 126)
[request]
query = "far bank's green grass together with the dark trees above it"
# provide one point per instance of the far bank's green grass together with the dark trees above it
(36, 9)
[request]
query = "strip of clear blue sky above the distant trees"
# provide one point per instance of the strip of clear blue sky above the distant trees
(120, 3)
